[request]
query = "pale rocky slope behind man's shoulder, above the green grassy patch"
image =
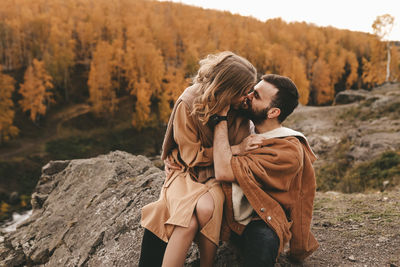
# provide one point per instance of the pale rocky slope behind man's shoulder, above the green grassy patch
(371, 124)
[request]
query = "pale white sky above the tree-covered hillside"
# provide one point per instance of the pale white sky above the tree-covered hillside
(355, 15)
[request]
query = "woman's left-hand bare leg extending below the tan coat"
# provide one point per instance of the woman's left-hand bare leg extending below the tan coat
(179, 244)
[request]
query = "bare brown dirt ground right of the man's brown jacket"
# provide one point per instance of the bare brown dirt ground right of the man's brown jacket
(355, 230)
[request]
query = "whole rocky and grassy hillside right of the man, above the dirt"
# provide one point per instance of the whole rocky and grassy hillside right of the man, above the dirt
(358, 143)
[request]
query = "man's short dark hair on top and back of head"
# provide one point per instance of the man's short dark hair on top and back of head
(287, 97)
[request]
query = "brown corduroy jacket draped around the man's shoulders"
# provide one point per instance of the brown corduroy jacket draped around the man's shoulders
(279, 182)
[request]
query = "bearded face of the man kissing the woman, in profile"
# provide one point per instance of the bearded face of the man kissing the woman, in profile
(259, 101)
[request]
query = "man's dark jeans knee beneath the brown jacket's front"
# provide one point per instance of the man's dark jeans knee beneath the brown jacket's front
(259, 244)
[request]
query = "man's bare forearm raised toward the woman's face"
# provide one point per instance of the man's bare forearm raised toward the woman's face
(222, 151)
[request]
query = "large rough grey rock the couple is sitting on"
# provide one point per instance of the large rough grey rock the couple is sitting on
(86, 212)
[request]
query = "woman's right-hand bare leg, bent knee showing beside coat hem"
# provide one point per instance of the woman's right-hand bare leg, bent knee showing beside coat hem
(204, 212)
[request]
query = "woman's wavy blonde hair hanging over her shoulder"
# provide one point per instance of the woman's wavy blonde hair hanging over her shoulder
(221, 78)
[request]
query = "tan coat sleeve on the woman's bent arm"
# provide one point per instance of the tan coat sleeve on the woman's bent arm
(186, 135)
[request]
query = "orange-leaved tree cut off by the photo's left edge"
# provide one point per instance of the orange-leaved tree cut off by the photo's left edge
(7, 129)
